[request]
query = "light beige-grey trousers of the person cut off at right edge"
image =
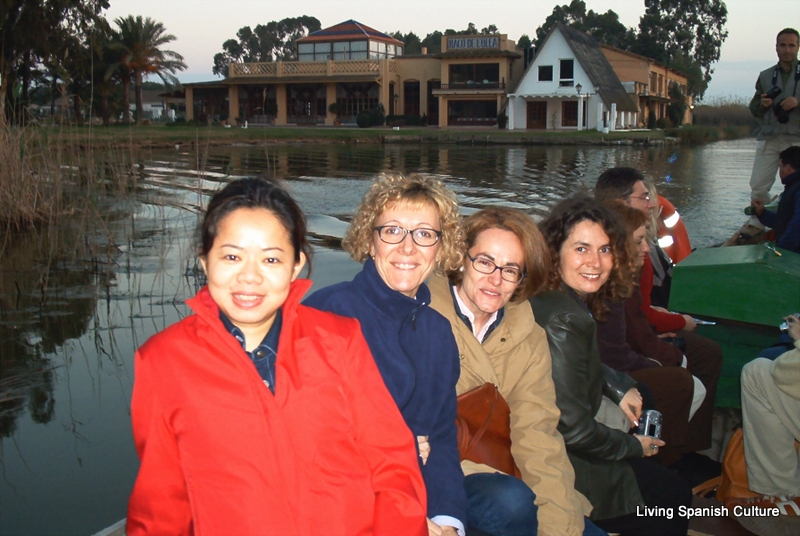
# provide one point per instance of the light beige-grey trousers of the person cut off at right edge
(771, 424)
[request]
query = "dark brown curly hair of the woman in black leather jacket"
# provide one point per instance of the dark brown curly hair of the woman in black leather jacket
(557, 228)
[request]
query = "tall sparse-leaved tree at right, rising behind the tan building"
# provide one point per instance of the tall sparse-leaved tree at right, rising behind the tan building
(670, 29)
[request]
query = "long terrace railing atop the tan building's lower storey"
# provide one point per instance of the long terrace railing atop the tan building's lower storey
(278, 69)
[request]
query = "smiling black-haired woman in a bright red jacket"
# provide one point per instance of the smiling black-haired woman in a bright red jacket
(257, 415)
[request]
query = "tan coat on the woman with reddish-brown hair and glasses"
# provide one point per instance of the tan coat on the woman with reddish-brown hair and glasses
(516, 358)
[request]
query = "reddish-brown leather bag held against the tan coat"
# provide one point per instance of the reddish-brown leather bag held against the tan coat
(484, 429)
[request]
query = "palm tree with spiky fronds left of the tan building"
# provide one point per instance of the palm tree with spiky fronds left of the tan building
(139, 41)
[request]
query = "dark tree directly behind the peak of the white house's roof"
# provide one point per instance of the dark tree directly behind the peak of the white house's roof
(605, 27)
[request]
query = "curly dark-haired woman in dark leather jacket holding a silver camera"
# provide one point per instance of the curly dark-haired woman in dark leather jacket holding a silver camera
(591, 263)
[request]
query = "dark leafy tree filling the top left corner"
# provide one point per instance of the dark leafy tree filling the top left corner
(32, 30)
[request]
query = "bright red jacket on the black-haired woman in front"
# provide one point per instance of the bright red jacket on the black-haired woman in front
(328, 454)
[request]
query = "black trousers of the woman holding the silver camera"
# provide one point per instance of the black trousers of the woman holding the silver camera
(661, 488)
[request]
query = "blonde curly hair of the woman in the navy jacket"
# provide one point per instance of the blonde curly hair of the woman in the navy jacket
(415, 191)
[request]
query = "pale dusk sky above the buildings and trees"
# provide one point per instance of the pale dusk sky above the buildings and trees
(201, 26)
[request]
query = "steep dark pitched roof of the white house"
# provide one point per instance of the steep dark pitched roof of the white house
(597, 67)
